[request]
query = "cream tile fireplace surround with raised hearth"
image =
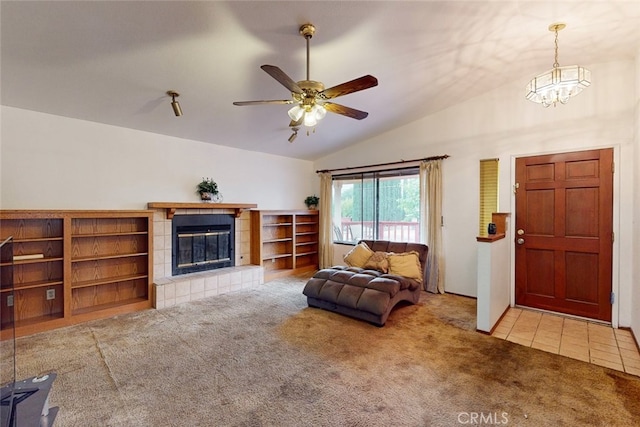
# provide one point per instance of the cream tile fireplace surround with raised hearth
(171, 290)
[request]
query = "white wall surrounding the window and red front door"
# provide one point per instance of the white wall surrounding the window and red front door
(503, 124)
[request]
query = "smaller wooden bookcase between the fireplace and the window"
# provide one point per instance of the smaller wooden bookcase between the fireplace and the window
(284, 242)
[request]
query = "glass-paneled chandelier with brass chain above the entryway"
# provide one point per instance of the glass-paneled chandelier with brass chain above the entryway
(560, 83)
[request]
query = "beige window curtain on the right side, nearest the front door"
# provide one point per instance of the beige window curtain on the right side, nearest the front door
(430, 218)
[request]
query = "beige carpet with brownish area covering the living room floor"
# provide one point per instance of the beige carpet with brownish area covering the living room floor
(263, 358)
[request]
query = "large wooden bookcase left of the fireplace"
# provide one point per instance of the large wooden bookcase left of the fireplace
(79, 266)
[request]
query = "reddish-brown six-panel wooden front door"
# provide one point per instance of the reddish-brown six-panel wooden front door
(564, 232)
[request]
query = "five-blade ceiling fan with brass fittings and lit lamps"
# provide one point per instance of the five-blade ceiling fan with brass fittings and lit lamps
(310, 97)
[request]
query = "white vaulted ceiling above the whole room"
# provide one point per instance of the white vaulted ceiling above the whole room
(112, 62)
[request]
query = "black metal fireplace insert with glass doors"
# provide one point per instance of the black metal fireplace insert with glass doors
(202, 242)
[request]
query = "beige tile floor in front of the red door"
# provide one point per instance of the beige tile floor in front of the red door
(579, 339)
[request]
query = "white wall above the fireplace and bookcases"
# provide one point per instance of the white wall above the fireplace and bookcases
(53, 162)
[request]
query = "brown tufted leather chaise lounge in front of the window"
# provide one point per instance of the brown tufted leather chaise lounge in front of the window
(364, 293)
